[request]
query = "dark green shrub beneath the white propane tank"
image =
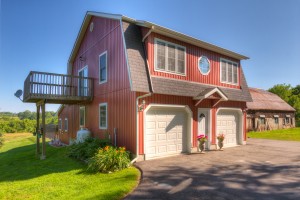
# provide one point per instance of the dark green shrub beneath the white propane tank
(86, 149)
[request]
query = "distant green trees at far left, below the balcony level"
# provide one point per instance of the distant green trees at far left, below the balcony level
(22, 121)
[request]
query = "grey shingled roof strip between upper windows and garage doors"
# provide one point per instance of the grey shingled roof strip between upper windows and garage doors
(162, 85)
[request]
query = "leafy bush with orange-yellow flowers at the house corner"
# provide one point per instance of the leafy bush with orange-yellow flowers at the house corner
(109, 159)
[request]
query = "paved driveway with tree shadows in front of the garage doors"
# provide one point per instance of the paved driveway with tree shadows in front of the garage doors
(262, 169)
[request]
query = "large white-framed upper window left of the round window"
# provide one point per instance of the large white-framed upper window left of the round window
(169, 57)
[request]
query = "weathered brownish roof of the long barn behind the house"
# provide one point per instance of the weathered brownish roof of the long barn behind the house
(264, 100)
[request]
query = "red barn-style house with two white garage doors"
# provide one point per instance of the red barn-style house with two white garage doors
(150, 88)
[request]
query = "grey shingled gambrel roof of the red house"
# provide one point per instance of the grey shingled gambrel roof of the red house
(138, 72)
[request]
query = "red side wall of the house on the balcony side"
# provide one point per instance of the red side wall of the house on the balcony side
(106, 36)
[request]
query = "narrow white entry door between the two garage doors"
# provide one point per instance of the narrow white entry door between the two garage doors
(204, 124)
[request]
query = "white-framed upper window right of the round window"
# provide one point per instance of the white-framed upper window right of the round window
(229, 72)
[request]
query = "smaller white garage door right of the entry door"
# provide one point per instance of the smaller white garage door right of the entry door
(227, 123)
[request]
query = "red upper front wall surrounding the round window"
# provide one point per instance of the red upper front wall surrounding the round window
(193, 53)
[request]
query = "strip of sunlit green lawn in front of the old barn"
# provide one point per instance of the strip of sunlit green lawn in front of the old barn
(292, 134)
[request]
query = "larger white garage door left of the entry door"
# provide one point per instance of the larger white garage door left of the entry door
(164, 133)
